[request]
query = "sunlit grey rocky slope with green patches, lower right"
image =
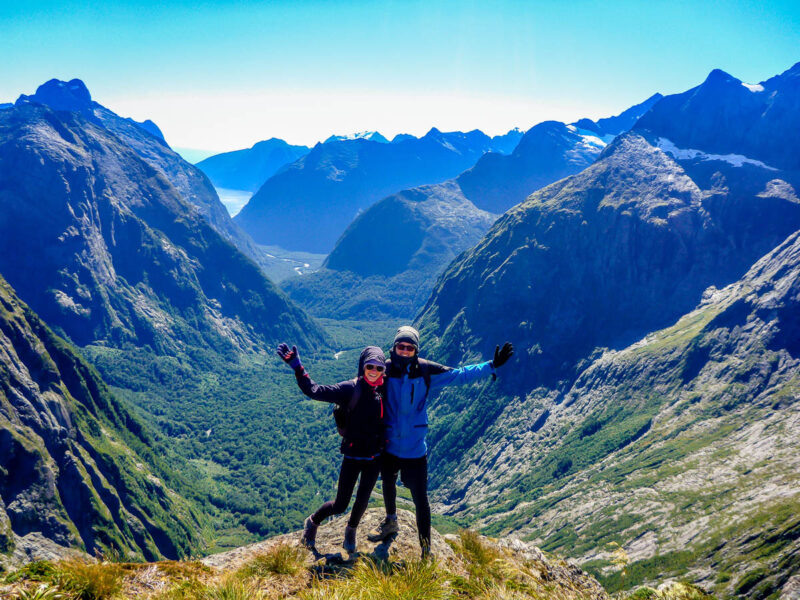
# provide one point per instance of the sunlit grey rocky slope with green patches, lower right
(693, 426)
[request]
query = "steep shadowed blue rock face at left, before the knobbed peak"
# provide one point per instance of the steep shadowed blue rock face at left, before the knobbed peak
(104, 247)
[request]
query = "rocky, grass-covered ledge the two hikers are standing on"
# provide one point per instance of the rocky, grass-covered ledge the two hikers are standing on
(466, 566)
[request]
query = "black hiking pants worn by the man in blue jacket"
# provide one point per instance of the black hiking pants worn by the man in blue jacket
(414, 475)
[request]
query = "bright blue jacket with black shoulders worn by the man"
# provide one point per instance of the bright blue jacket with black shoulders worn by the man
(407, 402)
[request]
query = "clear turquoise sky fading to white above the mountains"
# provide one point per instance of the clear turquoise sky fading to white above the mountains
(223, 75)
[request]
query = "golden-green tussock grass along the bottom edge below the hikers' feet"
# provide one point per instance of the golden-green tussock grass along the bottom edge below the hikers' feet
(482, 570)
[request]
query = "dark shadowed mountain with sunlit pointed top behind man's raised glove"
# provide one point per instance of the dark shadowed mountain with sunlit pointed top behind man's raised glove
(602, 257)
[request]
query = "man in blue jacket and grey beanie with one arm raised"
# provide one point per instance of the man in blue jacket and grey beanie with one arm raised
(410, 380)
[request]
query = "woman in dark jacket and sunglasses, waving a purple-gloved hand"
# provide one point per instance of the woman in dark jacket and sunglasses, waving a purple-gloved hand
(360, 421)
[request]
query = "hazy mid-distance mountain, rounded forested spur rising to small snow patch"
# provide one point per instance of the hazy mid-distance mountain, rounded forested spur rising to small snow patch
(418, 232)
